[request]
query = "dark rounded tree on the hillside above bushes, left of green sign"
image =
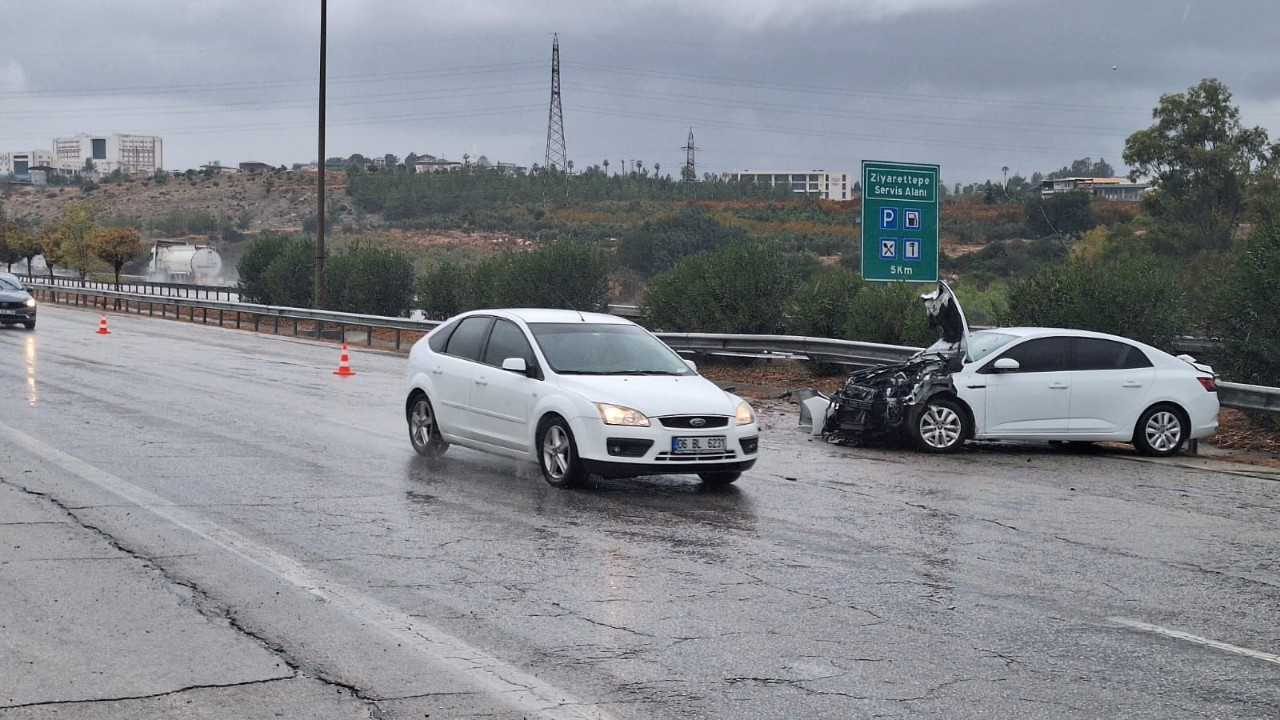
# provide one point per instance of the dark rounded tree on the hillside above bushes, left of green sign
(659, 244)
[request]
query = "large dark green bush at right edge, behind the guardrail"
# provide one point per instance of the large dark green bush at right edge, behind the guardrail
(1242, 309)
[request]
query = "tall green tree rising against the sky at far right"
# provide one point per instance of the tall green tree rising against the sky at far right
(1201, 160)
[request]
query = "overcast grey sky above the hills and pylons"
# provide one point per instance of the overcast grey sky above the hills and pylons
(971, 85)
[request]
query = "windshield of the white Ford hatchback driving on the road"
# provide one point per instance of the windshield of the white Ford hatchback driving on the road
(598, 349)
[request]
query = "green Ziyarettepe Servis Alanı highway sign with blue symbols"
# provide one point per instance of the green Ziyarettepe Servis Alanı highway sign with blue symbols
(900, 222)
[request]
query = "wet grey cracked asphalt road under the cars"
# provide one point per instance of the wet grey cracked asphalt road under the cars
(275, 544)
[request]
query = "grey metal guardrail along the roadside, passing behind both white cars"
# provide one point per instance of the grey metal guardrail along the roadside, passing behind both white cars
(323, 323)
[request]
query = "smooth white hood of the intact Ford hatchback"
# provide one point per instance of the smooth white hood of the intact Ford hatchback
(655, 395)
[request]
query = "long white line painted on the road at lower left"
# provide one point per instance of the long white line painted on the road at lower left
(523, 691)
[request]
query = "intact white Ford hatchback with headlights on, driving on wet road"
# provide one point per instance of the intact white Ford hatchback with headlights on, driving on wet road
(577, 393)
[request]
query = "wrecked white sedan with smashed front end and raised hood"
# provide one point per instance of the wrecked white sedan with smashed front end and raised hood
(1027, 385)
